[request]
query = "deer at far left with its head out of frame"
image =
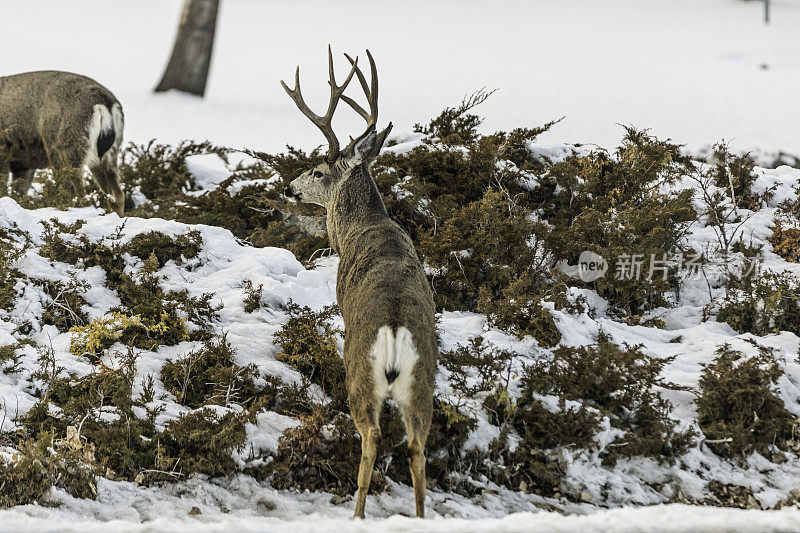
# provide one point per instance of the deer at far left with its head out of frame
(60, 120)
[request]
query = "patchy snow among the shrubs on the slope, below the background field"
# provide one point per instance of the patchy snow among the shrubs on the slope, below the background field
(222, 268)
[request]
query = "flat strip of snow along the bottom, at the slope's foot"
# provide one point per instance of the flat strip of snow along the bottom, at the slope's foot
(654, 519)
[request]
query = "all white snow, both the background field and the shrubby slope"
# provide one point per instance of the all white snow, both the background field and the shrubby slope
(691, 70)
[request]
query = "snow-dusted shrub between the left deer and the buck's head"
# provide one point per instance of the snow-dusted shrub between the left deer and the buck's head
(256, 213)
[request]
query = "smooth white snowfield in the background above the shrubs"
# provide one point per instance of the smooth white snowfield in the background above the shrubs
(692, 70)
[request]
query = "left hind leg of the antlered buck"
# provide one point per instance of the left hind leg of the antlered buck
(366, 412)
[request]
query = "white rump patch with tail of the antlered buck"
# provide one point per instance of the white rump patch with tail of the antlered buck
(393, 355)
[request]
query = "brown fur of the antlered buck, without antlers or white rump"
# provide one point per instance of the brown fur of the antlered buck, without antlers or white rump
(380, 282)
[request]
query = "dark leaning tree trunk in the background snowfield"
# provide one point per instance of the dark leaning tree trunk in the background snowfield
(188, 66)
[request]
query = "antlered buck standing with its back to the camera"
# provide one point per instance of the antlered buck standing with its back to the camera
(390, 346)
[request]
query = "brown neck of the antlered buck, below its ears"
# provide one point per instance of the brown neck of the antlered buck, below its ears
(355, 205)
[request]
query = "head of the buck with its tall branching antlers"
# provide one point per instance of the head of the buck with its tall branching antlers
(317, 185)
